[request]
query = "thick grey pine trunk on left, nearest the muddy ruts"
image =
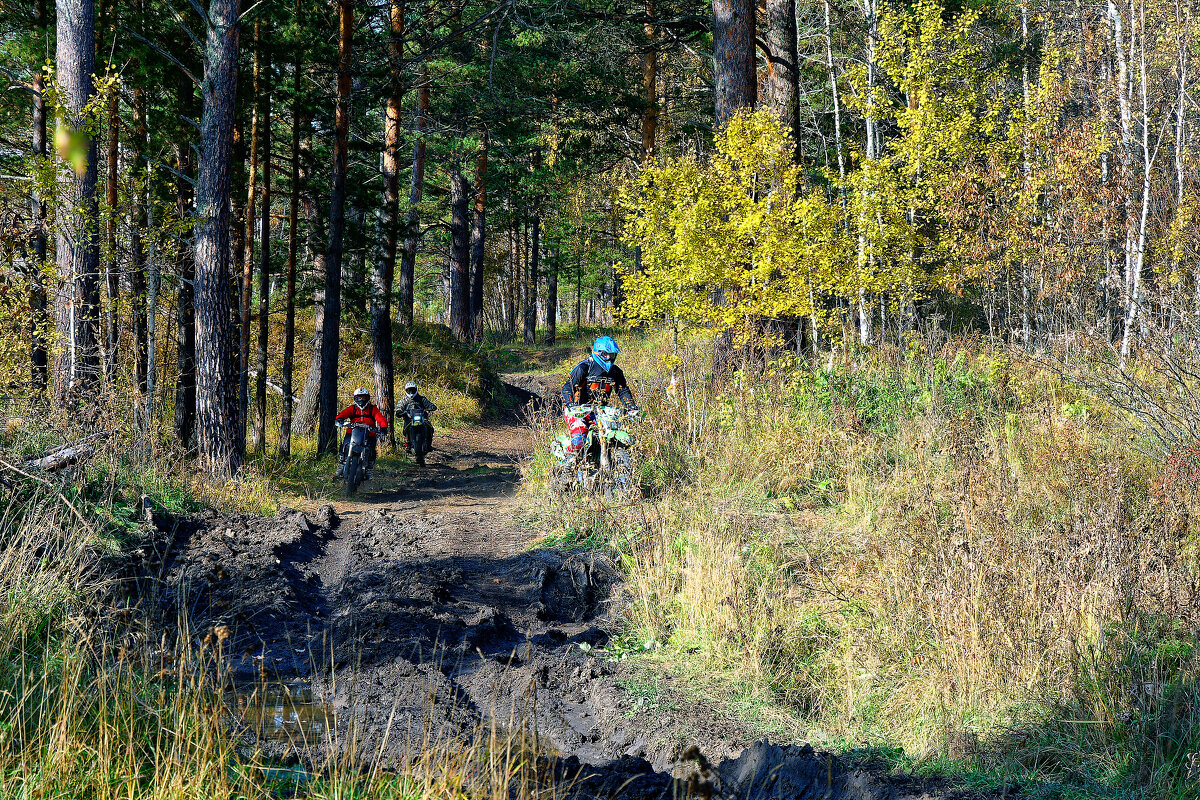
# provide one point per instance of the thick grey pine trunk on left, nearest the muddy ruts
(217, 377)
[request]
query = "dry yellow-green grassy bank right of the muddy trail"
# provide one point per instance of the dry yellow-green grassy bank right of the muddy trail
(945, 554)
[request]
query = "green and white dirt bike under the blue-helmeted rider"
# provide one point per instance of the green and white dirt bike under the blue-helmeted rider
(605, 465)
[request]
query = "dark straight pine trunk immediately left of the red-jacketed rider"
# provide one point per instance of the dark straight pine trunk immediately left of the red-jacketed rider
(332, 333)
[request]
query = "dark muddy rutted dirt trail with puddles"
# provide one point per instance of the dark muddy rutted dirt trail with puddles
(418, 612)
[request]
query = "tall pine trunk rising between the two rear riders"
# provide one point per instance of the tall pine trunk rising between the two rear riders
(386, 267)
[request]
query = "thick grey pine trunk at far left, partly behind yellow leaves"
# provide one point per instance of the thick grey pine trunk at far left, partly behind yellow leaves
(77, 302)
